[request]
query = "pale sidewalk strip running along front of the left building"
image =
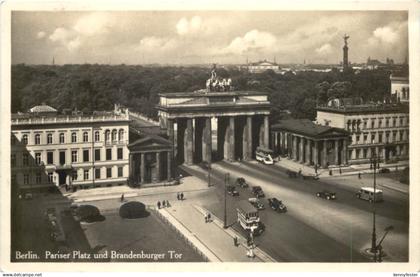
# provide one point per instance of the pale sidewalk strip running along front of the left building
(188, 184)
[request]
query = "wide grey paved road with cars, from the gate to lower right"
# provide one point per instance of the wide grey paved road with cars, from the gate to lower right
(313, 229)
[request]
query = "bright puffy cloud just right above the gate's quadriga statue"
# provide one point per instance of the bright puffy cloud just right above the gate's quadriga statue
(252, 41)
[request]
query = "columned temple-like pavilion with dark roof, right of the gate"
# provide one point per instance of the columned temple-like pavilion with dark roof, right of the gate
(308, 143)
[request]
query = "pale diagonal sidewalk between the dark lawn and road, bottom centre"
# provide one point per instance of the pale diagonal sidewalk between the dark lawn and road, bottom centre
(211, 237)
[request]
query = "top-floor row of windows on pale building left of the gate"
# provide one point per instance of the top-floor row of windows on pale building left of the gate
(85, 137)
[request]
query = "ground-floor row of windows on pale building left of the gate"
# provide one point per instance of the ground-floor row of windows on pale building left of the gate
(74, 176)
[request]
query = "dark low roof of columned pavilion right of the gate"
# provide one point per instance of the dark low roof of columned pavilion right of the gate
(308, 128)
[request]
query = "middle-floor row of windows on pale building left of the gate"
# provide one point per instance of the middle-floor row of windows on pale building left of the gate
(62, 156)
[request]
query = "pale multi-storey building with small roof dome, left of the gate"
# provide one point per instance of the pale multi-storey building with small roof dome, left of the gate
(76, 150)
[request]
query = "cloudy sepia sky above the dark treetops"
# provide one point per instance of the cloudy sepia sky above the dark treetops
(204, 37)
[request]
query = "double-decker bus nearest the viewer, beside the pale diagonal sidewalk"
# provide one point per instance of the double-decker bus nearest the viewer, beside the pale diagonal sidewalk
(248, 218)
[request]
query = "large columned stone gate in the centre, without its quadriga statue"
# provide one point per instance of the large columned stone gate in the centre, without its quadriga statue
(241, 116)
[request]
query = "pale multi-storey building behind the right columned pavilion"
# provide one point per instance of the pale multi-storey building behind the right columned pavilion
(381, 129)
